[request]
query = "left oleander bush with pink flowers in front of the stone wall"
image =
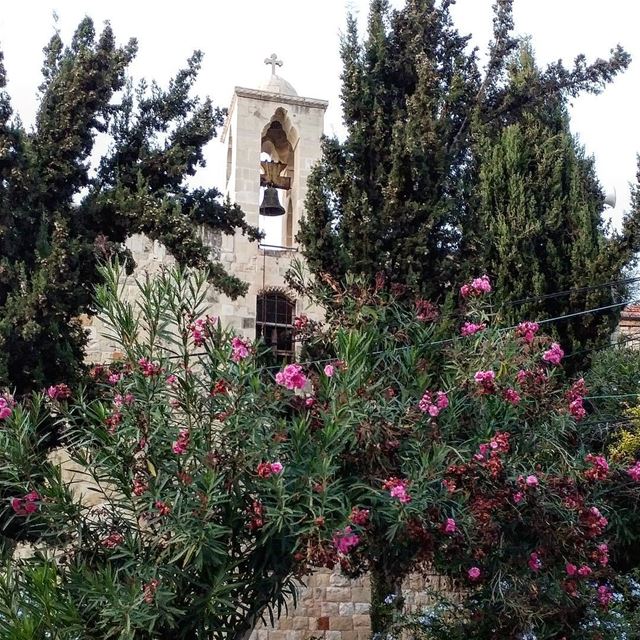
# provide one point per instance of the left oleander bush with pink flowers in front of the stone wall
(185, 525)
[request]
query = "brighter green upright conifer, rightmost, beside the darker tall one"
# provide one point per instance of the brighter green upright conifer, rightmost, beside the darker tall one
(539, 219)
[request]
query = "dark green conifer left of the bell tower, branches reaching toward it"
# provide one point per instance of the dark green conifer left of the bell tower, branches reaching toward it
(58, 217)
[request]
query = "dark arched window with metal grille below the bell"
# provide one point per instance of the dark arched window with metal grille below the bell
(274, 323)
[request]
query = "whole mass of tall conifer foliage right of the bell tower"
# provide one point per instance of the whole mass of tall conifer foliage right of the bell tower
(446, 172)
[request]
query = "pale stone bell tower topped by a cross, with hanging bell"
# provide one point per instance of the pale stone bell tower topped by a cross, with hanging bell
(273, 140)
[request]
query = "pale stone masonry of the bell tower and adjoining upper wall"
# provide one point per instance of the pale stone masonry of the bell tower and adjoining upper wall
(272, 123)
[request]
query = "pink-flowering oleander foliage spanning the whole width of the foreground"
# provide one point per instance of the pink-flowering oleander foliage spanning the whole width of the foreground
(220, 481)
